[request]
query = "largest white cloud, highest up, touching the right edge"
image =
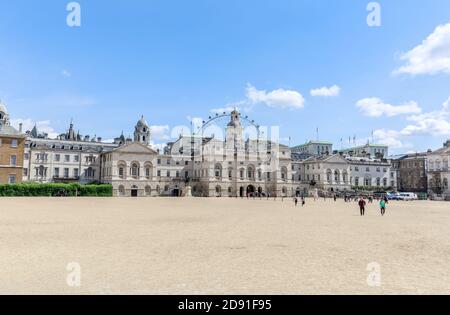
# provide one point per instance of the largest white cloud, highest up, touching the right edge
(430, 57)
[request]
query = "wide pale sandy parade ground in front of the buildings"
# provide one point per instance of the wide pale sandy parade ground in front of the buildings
(221, 246)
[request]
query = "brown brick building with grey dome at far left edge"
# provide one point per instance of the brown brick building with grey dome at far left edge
(12, 143)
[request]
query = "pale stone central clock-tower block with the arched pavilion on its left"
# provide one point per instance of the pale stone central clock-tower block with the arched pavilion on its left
(233, 167)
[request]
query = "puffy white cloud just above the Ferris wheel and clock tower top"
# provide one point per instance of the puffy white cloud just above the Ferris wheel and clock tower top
(278, 98)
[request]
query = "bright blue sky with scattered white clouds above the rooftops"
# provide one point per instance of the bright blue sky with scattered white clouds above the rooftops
(302, 65)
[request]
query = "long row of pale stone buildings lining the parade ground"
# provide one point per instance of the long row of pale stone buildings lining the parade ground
(205, 166)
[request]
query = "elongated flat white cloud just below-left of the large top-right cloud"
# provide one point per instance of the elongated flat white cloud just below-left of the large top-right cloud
(375, 107)
